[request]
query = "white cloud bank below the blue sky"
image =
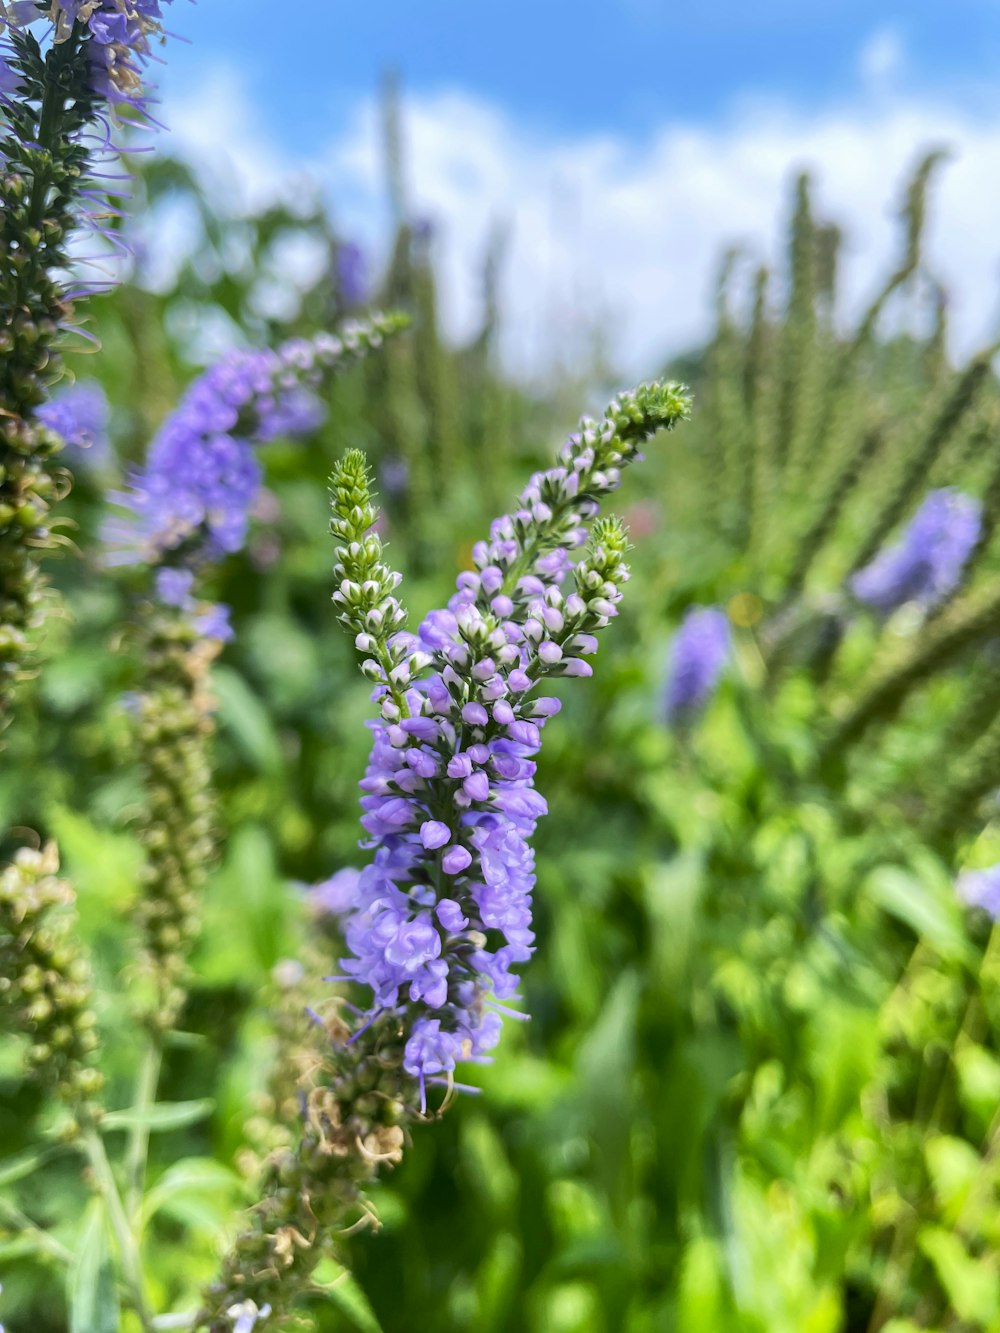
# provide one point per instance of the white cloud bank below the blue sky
(629, 235)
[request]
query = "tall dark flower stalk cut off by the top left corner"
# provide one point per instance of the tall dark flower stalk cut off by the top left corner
(63, 66)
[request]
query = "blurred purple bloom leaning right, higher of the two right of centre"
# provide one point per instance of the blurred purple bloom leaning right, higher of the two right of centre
(926, 565)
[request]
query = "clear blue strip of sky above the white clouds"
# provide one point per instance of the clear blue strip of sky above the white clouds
(577, 67)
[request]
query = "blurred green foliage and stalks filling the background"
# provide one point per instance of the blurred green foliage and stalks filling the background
(761, 1088)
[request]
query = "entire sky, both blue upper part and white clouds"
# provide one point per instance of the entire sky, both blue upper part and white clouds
(623, 142)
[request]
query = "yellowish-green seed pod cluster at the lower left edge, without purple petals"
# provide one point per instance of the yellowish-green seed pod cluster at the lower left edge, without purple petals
(45, 982)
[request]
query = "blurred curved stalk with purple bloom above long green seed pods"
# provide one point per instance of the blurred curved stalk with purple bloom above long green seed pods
(185, 510)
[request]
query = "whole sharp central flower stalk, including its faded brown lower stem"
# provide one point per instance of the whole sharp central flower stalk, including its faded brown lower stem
(442, 915)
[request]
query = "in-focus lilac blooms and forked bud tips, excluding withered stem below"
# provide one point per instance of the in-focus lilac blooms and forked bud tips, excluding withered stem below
(442, 915)
